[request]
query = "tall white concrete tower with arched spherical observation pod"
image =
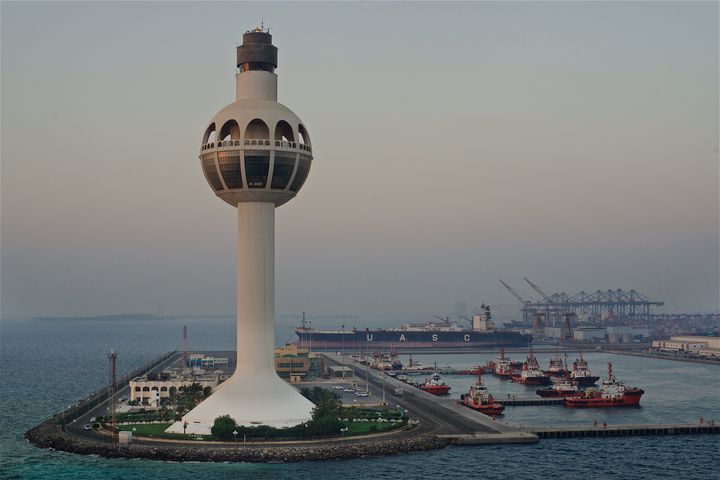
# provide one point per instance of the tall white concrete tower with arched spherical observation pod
(255, 155)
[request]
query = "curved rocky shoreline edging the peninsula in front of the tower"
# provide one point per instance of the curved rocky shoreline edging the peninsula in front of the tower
(49, 434)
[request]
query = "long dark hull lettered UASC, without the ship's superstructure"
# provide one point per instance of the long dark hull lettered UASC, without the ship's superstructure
(402, 339)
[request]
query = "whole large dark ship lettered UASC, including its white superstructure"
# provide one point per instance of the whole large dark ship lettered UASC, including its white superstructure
(443, 334)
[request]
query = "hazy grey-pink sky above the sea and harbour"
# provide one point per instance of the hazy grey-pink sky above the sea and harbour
(455, 144)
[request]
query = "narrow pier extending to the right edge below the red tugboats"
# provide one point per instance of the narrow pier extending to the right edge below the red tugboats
(602, 430)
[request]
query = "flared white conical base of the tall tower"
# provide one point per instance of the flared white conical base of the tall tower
(252, 400)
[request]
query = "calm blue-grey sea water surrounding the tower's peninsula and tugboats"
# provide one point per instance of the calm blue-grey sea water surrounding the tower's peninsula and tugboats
(45, 365)
